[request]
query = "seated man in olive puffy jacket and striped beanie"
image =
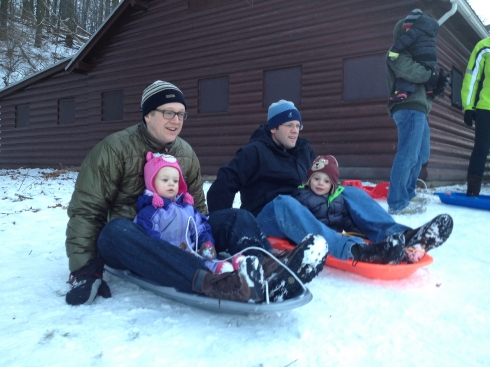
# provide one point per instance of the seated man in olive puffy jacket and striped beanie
(101, 228)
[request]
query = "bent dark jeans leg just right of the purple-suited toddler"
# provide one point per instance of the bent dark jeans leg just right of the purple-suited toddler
(236, 229)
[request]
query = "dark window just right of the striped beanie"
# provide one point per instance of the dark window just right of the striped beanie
(214, 95)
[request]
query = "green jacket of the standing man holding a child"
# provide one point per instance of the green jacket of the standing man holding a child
(404, 67)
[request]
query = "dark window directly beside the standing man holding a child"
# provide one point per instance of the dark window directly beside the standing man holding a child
(365, 78)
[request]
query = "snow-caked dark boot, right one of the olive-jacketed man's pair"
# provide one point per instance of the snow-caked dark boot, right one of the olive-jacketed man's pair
(306, 260)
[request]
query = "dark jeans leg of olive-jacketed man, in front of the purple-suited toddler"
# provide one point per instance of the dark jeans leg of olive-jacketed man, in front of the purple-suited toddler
(123, 244)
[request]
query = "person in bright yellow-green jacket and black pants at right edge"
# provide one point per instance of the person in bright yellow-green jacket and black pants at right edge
(475, 95)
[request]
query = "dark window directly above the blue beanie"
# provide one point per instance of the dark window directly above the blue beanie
(282, 84)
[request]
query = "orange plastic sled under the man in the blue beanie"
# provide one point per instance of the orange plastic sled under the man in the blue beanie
(374, 271)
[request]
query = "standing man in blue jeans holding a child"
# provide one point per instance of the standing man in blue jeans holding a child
(410, 115)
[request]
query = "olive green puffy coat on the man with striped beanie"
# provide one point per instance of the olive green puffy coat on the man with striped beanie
(110, 181)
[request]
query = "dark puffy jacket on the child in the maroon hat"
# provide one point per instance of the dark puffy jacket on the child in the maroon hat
(328, 209)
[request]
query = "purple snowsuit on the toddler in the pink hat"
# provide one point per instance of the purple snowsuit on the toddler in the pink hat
(176, 223)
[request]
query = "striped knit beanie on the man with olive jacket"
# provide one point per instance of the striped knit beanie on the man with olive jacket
(159, 93)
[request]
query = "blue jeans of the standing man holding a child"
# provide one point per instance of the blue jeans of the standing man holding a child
(413, 152)
